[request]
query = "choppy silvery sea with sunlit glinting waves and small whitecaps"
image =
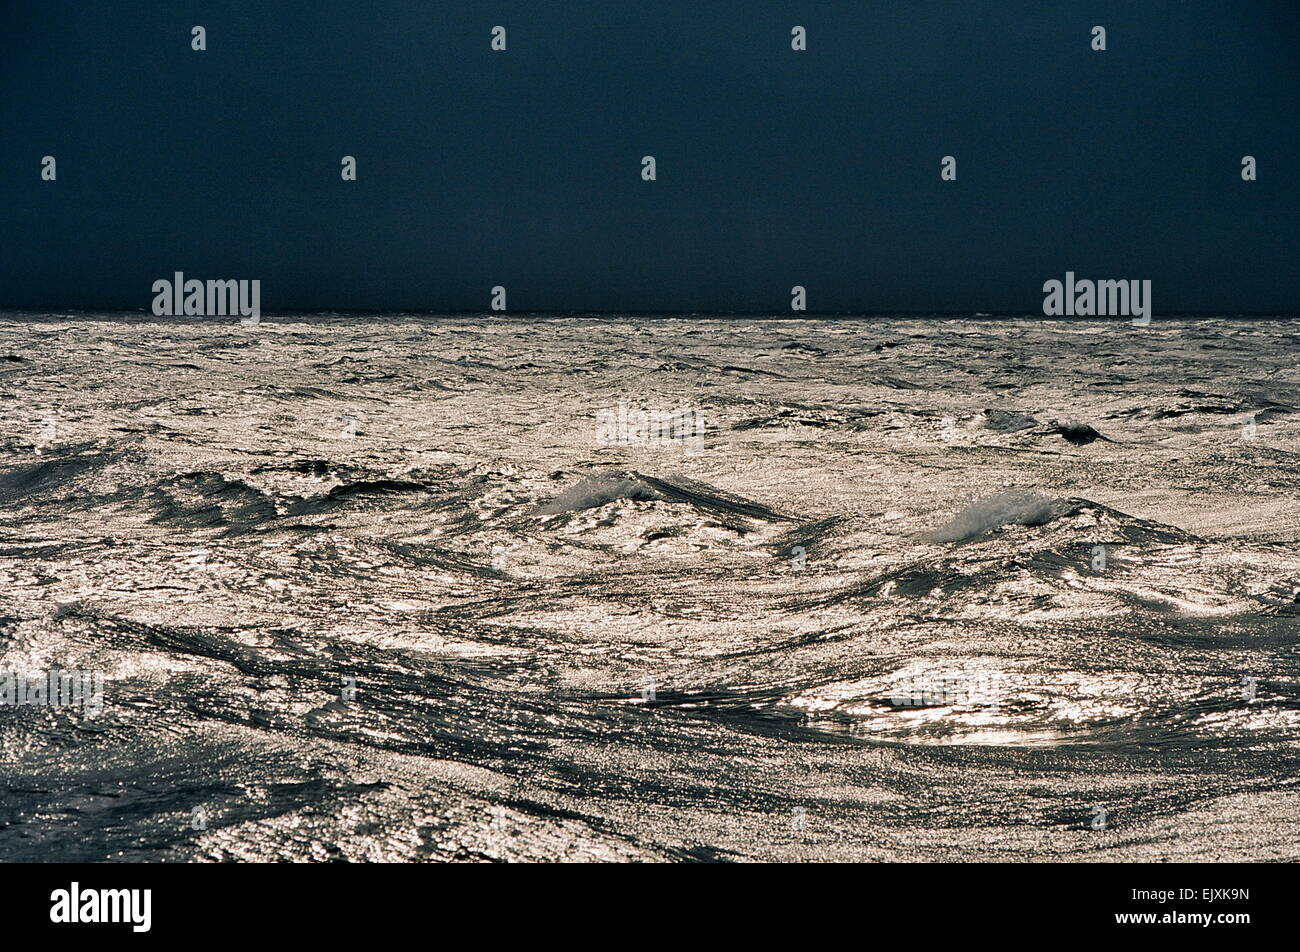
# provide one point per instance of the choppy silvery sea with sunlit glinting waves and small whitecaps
(415, 588)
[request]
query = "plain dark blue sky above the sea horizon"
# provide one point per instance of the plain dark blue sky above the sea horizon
(775, 168)
